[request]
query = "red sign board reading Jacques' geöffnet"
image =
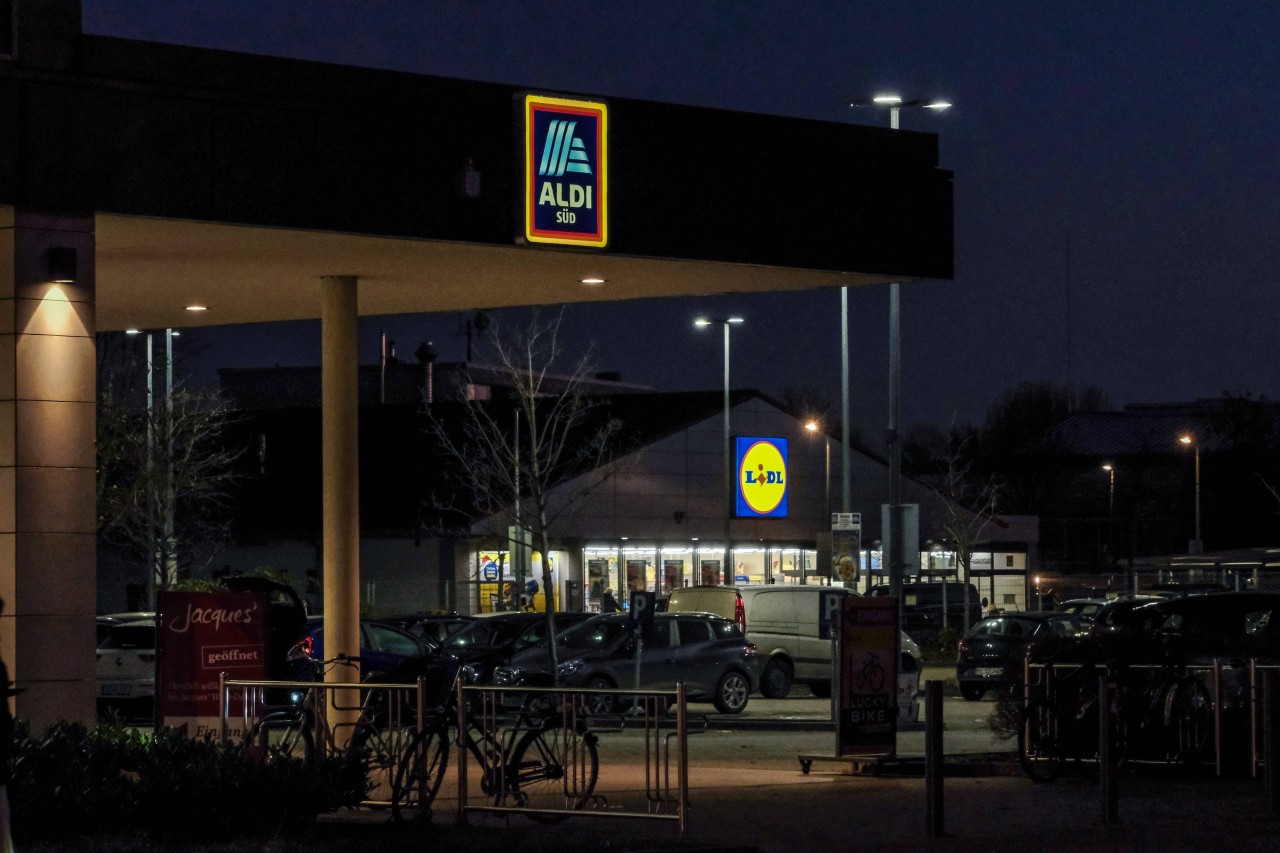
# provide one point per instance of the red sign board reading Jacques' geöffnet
(202, 636)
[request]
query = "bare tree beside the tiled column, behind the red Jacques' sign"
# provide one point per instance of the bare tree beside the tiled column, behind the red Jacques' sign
(163, 480)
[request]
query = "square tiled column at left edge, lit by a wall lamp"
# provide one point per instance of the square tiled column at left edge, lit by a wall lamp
(48, 481)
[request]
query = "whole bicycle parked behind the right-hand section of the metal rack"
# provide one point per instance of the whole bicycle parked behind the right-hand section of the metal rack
(543, 759)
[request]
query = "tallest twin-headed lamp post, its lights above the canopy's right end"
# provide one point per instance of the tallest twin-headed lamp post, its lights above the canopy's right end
(897, 562)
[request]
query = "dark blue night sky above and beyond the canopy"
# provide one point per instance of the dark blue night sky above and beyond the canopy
(1117, 171)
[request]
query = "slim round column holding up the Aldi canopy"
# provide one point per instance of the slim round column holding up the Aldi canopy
(341, 469)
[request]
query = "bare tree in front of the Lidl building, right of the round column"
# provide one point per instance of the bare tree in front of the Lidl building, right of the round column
(511, 458)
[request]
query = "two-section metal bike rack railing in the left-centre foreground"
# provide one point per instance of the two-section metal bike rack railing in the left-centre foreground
(499, 723)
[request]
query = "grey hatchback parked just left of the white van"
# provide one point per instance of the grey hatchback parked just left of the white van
(708, 654)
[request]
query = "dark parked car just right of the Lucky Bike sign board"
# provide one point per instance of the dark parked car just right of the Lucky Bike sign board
(994, 651)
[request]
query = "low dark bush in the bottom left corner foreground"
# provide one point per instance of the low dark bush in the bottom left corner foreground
(113, 781)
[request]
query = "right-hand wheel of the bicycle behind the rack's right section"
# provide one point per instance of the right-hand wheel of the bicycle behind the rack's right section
(552, 769)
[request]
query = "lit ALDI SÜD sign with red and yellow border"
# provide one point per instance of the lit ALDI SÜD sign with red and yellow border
(566, 172)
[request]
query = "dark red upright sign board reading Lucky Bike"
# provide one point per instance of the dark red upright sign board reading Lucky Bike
(867, 723)
